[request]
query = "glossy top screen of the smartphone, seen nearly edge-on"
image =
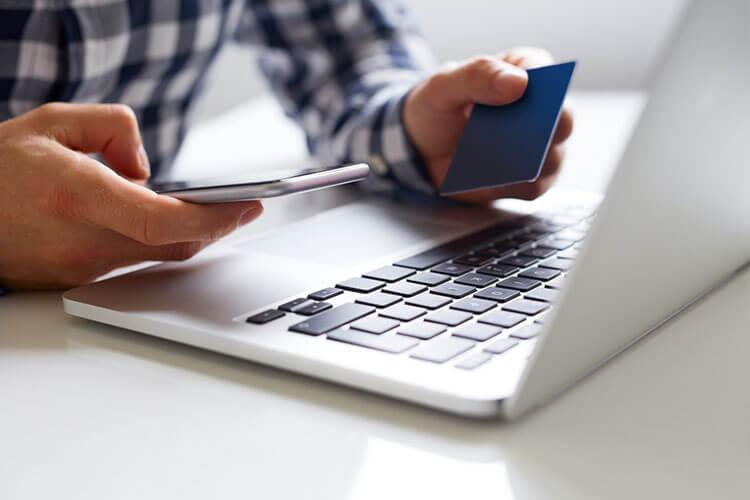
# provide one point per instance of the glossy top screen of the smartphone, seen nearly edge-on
(250, 178)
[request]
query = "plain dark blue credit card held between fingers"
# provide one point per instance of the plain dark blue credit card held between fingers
(508, 144)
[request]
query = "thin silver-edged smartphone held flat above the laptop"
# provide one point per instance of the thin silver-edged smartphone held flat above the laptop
(260, 184)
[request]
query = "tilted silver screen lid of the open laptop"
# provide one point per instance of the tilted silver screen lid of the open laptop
(675, 221)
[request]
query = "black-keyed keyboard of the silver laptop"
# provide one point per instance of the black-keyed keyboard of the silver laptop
(479, 295)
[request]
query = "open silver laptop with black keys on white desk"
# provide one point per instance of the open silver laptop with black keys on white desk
(481, 312)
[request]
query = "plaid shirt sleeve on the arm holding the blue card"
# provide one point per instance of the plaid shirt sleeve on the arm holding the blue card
(342, 69)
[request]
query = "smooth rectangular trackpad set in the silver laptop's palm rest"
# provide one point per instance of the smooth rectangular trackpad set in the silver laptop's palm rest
(350, 236)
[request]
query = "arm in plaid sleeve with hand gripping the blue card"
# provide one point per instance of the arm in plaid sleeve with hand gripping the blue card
(358, 77)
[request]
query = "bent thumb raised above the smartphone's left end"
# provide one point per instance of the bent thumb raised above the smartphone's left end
(109, 129)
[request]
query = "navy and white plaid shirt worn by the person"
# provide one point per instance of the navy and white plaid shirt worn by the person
(341, 68)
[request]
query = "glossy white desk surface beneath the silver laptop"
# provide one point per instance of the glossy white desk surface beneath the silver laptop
(91, 412)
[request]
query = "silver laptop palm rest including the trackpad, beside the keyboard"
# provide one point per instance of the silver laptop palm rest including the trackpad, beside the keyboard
(222, 282)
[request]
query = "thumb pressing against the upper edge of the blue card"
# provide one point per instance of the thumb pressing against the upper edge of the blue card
(486, 80)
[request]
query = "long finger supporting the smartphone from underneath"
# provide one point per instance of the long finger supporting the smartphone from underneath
(98, 195)
